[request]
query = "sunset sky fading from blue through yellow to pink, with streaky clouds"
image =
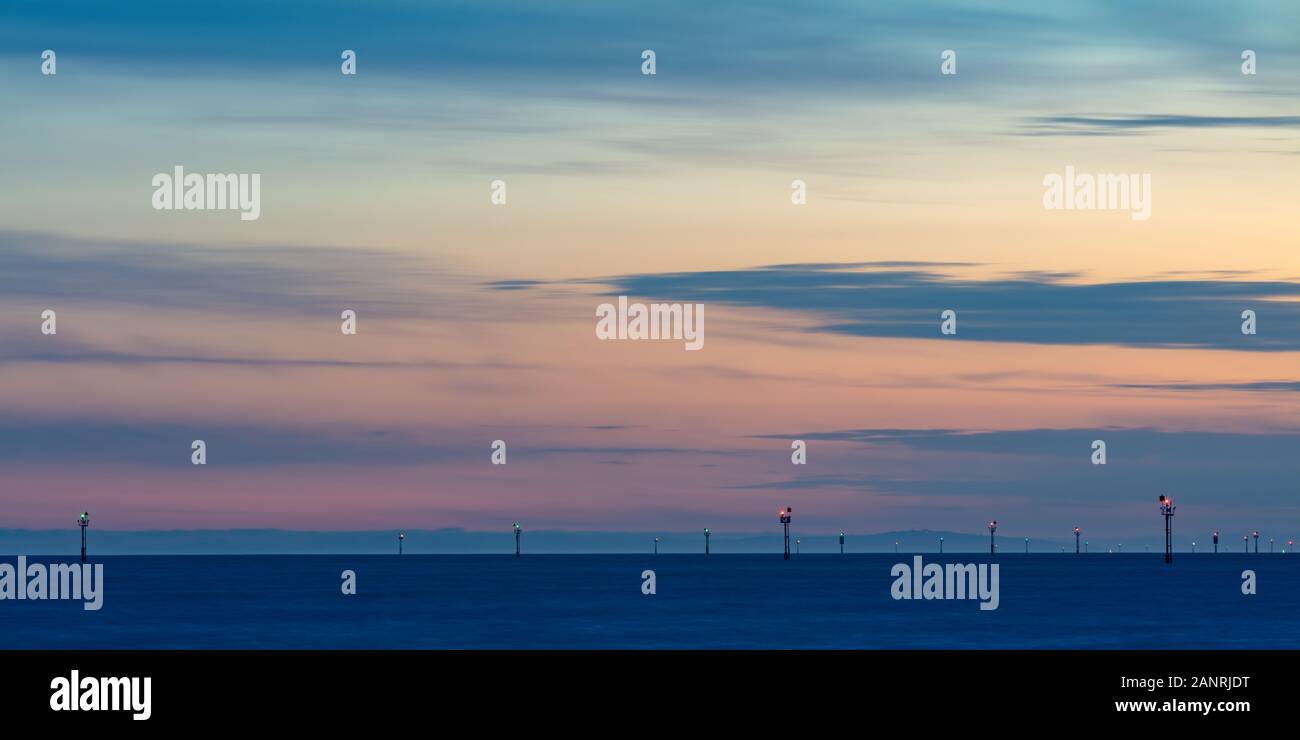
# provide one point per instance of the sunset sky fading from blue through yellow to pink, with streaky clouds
(476, 321)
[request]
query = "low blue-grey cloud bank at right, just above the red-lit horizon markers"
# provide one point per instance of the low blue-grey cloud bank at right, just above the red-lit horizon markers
(1030, 465)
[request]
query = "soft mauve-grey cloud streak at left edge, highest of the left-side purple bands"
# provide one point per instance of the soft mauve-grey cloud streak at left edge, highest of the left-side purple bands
(222, 279)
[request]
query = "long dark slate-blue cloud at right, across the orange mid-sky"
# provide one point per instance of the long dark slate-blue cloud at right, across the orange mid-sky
(1033, 308)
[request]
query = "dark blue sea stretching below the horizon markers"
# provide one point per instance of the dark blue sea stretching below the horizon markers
(722, 601)
